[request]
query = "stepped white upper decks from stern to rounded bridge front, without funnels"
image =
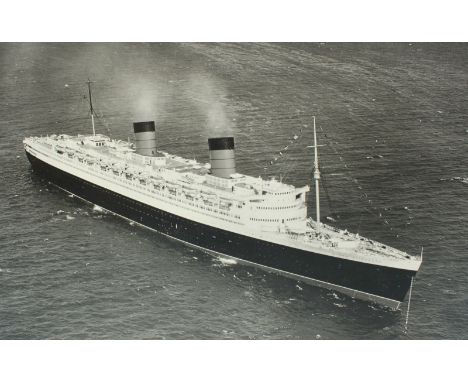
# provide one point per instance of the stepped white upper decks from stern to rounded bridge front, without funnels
(267, 204)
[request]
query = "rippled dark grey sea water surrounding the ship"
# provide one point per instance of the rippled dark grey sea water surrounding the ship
(392, 117)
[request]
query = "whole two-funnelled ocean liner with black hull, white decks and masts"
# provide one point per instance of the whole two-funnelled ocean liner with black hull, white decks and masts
(259, 222)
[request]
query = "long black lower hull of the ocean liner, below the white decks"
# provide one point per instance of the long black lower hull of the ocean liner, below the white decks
(384, 285)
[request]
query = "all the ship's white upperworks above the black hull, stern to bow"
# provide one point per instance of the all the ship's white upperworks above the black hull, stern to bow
(269, 210)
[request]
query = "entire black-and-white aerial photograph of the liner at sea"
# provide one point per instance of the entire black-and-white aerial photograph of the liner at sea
(233, 190)
